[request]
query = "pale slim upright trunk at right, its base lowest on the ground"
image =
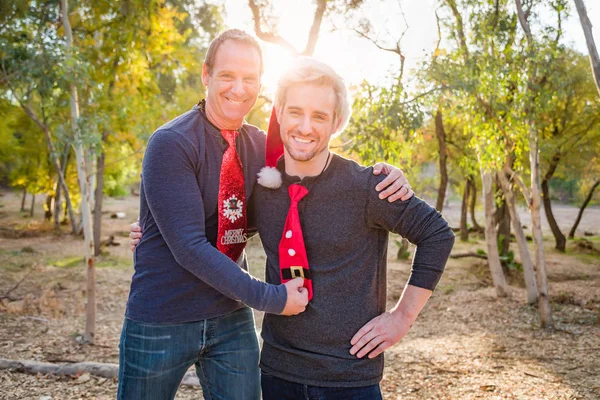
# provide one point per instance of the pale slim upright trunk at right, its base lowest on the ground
(540, 259)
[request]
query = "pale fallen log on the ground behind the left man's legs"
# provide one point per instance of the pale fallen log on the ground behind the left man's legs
(76, 369)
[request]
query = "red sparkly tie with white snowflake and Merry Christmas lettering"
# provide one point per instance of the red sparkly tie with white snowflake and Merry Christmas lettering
(232, 233)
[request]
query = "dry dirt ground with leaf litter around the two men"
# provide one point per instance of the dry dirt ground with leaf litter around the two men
(467, 344)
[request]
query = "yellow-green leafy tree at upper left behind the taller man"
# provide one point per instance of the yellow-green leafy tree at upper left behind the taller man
(100, 78)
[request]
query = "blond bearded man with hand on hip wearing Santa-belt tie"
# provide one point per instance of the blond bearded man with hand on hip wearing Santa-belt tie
(325, 223)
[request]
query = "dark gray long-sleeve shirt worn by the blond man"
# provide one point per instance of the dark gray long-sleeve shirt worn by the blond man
(345, 228)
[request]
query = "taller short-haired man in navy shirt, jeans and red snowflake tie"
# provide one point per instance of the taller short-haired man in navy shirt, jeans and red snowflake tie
(188, 300)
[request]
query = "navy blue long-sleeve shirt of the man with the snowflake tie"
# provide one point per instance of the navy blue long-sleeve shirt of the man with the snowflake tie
(180, 276)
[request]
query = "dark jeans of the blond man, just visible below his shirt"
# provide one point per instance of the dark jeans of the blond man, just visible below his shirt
(274, 388)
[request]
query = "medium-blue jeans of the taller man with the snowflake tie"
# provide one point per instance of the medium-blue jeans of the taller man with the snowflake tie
(154, 358)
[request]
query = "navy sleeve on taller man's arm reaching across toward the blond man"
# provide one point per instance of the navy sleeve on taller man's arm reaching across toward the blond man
(175, 200)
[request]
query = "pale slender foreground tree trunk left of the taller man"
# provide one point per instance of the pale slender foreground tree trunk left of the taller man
(86, 195)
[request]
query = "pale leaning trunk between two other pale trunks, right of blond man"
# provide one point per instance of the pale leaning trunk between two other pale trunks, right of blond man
(528, 269)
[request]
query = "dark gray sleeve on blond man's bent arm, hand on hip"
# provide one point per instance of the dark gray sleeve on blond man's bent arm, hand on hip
(420, 224)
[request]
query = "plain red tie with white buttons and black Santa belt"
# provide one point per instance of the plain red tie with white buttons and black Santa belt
(293, 260)
